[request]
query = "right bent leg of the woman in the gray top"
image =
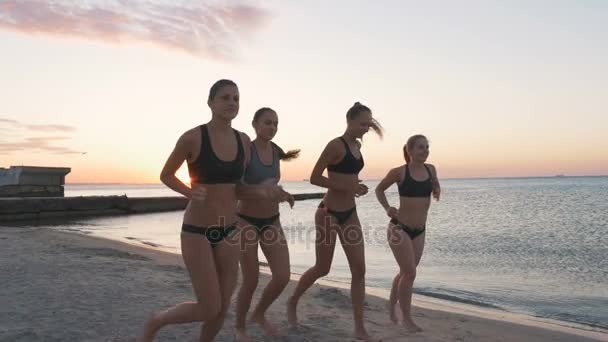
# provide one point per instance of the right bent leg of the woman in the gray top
(275, 249)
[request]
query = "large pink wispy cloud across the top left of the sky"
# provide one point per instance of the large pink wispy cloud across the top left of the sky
(208, 28)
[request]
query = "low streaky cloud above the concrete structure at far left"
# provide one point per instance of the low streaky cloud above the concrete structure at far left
(50, 144)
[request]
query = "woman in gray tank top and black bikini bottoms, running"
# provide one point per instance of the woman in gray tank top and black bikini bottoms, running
(260, 225)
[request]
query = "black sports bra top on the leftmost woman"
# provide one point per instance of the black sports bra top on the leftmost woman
(209, 169)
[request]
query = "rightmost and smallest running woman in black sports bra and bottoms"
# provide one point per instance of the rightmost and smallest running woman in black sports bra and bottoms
(416, 182)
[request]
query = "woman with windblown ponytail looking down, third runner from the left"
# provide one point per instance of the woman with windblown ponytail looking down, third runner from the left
(337, 213)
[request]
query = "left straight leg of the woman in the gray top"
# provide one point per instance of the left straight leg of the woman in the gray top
(250, 270)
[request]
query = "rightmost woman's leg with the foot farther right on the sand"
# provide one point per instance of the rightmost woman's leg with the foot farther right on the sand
(403, 250)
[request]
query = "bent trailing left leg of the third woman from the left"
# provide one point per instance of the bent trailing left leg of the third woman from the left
(324, 250)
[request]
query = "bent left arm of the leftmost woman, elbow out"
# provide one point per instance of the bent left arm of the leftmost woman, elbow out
(180, 153)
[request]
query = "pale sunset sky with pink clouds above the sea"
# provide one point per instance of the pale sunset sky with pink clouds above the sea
(501, 88)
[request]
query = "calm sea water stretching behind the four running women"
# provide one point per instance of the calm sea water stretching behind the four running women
(536, 246)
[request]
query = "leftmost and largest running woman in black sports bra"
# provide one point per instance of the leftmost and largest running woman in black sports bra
(216, 155)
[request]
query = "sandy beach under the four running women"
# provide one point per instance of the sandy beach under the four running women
(59, 286)
